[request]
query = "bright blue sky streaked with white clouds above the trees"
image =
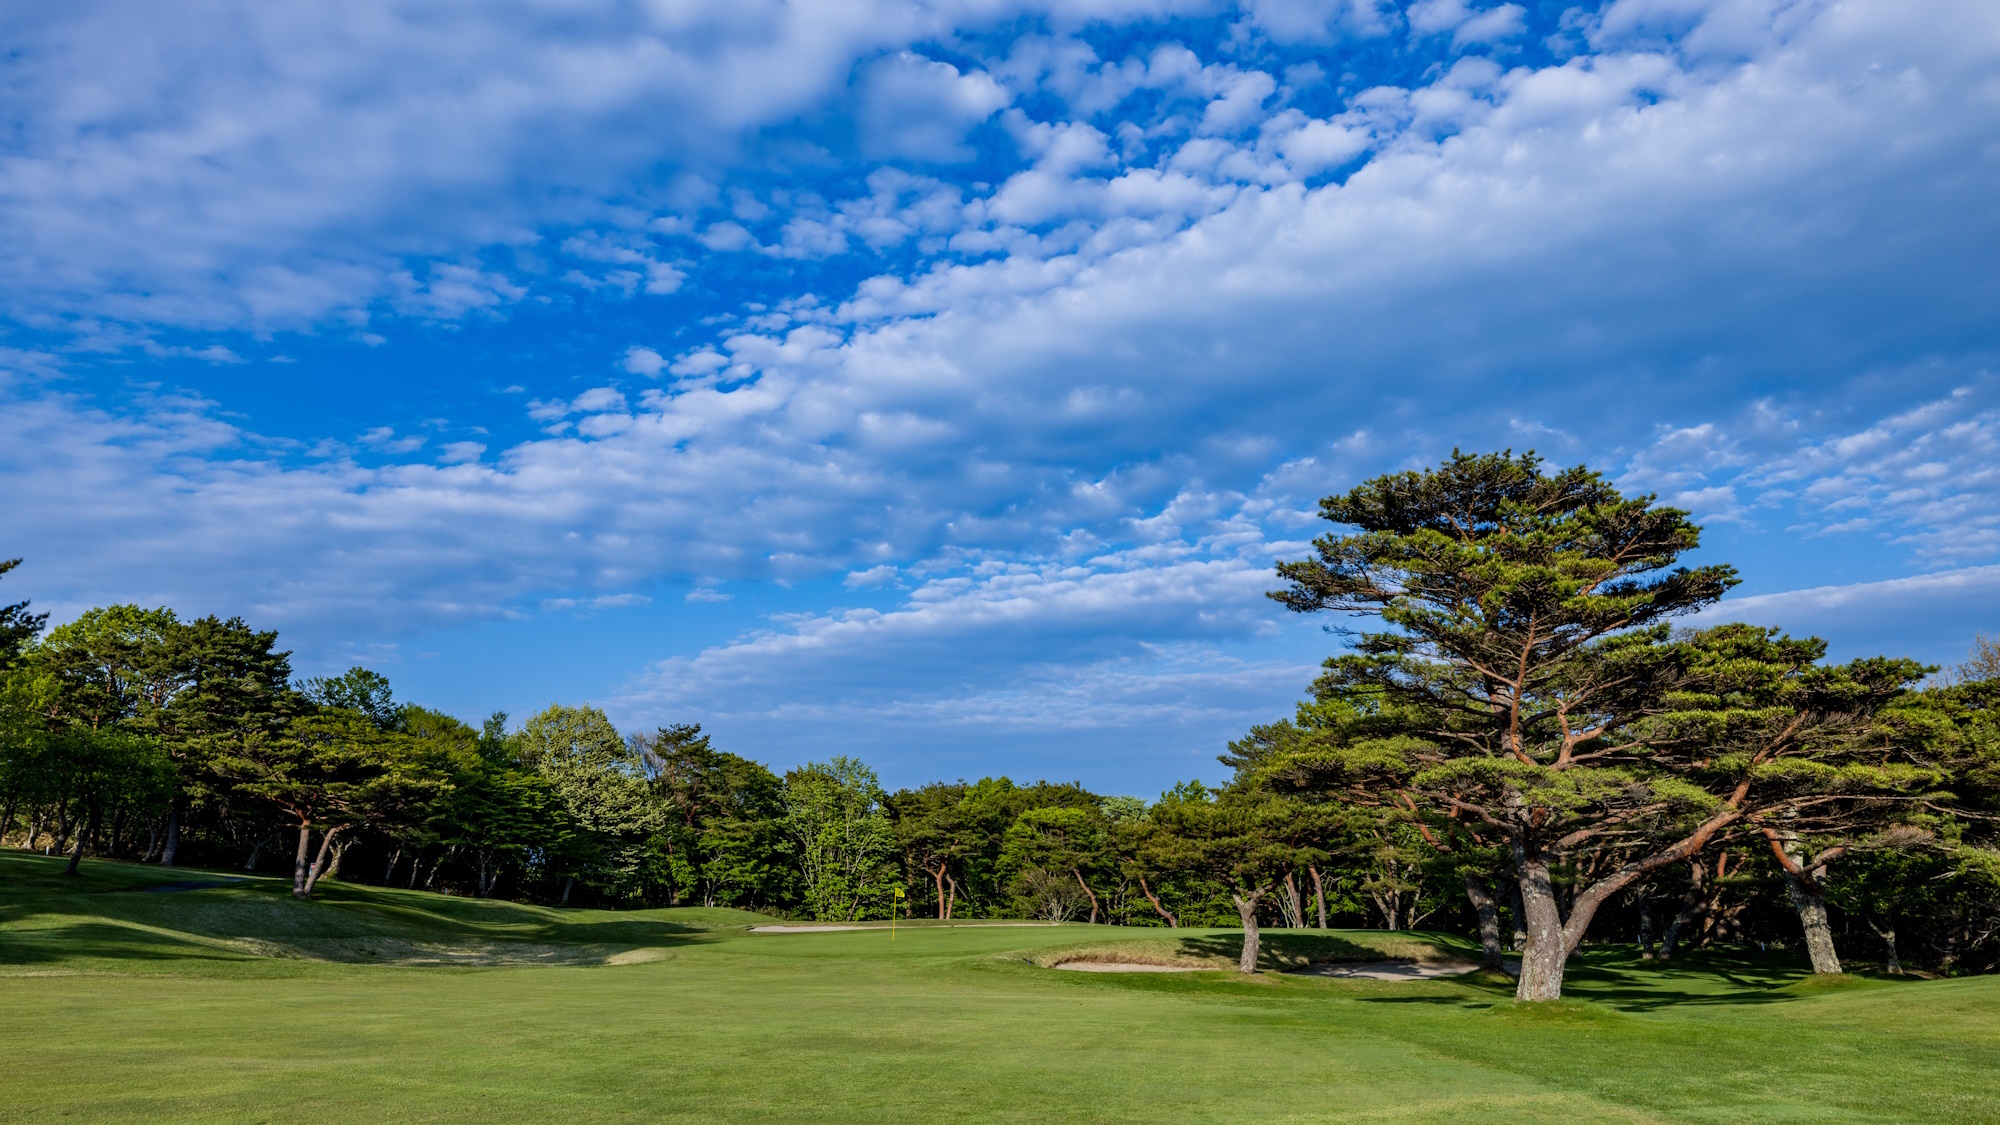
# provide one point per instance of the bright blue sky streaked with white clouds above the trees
(939, 383)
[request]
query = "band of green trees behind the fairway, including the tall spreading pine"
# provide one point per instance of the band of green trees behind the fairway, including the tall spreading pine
(1525, 748)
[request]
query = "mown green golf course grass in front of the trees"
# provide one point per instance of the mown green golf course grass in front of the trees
(233, 1004)
